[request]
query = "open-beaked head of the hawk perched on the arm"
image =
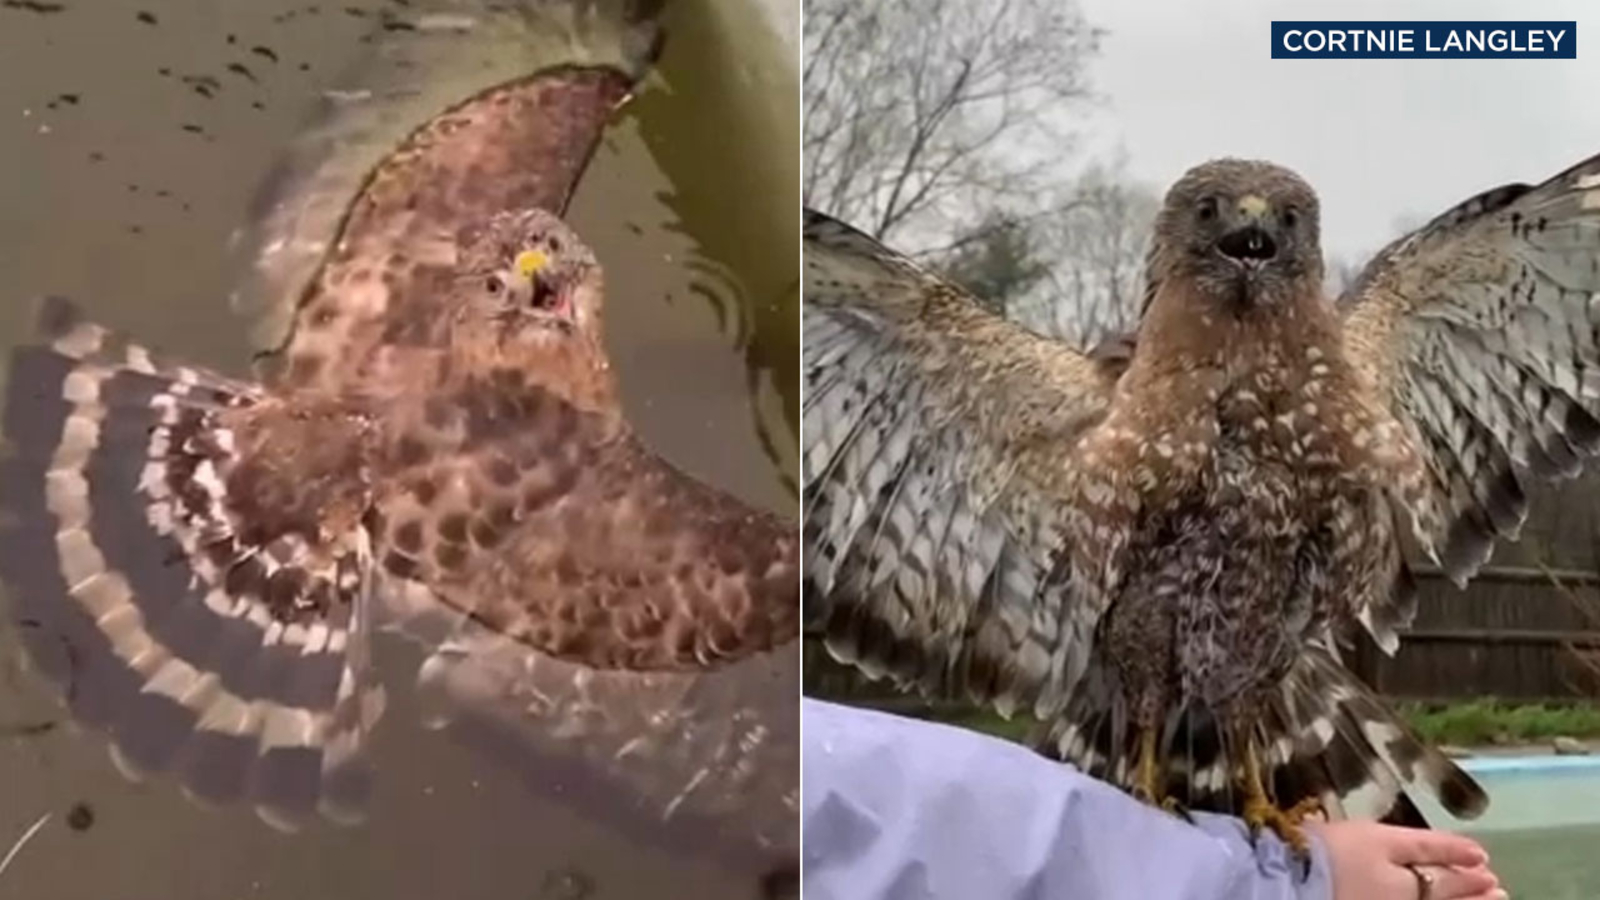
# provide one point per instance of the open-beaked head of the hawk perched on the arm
(1241, 231)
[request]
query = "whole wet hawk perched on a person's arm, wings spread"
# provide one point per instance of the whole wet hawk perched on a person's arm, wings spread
(1161, 556)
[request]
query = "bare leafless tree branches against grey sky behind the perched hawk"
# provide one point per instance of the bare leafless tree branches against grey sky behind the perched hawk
(922, 116)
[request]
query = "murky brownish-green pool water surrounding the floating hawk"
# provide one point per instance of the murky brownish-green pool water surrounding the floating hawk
(132, 151)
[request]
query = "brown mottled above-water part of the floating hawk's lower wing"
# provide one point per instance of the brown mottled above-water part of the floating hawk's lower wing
(572, 537)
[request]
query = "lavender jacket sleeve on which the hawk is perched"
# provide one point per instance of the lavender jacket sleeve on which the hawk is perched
(906, 810)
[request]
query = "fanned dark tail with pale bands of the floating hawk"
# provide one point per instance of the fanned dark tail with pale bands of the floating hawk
(134, 593)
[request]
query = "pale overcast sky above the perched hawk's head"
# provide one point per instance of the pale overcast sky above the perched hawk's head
(1183, 82)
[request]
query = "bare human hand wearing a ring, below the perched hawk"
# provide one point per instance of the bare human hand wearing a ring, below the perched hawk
(1372, 862)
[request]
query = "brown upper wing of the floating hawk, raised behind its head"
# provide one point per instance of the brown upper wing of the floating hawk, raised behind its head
(518, 147)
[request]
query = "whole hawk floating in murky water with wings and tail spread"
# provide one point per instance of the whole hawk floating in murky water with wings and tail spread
(439, 449)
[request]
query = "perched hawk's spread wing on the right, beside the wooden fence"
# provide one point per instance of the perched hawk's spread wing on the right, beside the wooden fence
(1482, 331)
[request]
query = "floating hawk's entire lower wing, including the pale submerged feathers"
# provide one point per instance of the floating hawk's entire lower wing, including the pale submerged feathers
(630, 630)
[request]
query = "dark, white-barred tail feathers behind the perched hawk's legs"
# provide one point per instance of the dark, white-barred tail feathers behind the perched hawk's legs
(1324, 736)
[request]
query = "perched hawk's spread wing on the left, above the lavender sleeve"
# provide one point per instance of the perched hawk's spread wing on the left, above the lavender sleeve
(934, 436)
